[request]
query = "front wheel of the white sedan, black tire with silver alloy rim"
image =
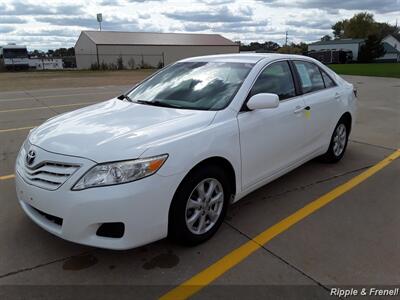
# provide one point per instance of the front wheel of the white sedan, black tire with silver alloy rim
(181, 228)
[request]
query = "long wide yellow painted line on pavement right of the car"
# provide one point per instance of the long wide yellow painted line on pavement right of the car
(211, 273)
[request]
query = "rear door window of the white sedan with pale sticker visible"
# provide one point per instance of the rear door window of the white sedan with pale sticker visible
(310, 76)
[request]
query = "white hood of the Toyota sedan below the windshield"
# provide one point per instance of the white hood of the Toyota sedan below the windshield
(115, 129)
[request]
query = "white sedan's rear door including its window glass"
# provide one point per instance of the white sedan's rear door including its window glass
(321, 97)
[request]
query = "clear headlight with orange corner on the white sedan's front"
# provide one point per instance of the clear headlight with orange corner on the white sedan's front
(120, 172)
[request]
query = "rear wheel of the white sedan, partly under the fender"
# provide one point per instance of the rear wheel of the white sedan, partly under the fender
(338, 144)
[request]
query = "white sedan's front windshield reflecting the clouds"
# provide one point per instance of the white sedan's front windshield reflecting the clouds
(193, 85)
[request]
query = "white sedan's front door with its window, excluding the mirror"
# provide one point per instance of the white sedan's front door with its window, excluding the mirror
(272, 139)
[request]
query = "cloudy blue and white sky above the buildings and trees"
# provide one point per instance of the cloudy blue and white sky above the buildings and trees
(52, 24)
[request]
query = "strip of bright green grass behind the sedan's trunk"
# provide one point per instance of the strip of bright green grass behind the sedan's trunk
(376, 69)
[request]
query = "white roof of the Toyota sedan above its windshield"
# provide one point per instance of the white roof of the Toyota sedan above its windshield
(244, 57)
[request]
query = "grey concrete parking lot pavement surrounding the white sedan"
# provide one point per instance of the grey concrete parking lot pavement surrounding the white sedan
(351, 241)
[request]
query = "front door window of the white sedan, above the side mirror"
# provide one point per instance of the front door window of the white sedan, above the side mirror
(275, 79)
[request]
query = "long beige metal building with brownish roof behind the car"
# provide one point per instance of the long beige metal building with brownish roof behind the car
(145, 49)
